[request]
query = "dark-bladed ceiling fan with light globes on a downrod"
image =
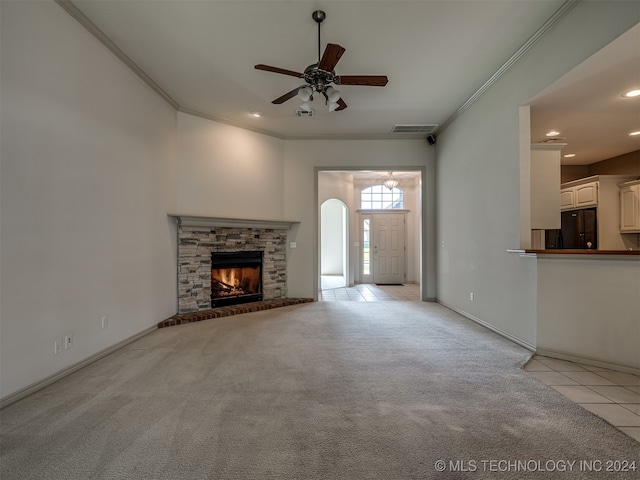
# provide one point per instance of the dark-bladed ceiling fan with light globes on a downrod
(319, 76)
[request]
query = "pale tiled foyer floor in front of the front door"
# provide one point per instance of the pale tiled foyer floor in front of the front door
(366, 292)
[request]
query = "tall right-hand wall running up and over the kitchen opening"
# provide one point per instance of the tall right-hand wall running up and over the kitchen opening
(478, 176)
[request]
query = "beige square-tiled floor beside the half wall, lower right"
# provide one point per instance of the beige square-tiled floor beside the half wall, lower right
(612, 395)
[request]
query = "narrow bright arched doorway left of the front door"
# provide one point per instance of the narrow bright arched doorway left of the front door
(334, 238)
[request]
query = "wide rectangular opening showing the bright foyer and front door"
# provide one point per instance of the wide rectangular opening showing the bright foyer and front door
(400, 226)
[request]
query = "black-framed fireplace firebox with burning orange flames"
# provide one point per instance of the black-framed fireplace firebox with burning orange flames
(236, 277)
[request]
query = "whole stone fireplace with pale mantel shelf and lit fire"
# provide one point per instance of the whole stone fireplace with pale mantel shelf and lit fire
(200, 237)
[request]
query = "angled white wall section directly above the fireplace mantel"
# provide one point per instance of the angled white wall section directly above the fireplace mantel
(226, 171)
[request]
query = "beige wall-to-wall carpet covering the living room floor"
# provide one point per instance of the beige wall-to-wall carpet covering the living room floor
(329, 390)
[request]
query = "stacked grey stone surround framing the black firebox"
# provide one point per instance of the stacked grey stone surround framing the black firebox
(195, 244)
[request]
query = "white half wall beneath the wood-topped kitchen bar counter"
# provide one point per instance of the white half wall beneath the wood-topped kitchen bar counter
(606, 329)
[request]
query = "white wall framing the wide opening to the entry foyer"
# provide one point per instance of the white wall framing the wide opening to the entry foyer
(303, 157)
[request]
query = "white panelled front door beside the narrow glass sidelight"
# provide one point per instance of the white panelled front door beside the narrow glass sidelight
(388, 248)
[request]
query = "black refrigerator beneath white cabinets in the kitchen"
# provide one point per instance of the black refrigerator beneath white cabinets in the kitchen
(579, 230)
